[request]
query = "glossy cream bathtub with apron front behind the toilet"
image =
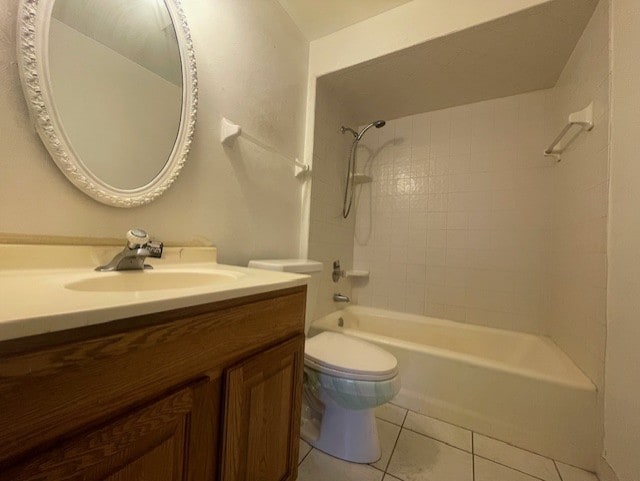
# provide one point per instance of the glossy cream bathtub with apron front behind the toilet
(512, 386)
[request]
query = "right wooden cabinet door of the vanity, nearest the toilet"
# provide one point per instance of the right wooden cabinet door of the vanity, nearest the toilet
(262, 415)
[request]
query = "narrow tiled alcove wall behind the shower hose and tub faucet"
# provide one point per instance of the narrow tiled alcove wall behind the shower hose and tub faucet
(331, 236)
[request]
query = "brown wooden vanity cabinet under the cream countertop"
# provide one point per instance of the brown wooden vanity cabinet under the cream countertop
(210, 392)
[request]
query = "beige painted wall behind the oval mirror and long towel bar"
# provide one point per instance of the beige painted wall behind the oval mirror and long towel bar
(252, 66)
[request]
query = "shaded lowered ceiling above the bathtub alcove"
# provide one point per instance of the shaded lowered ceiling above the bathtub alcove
(519, 53)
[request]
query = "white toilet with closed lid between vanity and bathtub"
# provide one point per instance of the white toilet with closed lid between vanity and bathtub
(345, 380)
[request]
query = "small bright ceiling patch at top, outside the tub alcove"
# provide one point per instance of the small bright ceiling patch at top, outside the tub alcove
(317, 18)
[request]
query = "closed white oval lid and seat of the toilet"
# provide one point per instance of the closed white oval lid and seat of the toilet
(344, 356)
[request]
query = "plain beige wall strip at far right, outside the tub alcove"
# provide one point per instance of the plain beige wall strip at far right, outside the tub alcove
(622, 395)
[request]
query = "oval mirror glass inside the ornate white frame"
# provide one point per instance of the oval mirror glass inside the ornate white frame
(116, 82)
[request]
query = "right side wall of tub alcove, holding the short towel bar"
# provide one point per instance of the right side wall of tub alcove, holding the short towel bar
(580, 198)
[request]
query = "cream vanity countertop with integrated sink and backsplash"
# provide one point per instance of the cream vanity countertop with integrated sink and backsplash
(37, 297)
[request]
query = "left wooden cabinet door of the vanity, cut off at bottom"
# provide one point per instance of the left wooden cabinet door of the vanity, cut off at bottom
(167, 440)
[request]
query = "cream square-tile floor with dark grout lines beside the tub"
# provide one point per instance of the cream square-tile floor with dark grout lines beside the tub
(420, 448)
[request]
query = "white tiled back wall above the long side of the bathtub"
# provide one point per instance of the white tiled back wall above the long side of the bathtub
(457, 222)
